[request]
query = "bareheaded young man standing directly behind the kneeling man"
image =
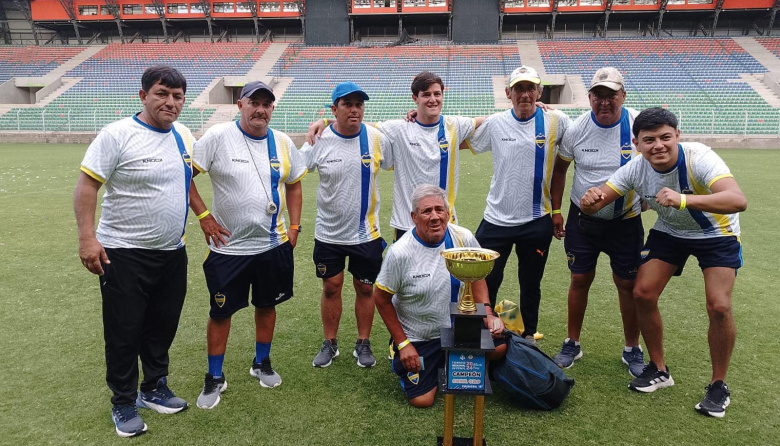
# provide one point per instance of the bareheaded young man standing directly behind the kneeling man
(424, 151)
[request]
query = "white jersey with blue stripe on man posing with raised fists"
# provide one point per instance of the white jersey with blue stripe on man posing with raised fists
(698, 167)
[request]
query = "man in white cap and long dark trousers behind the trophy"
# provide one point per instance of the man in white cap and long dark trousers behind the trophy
(523, 141)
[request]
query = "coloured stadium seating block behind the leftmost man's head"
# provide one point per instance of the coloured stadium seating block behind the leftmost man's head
(110, 81)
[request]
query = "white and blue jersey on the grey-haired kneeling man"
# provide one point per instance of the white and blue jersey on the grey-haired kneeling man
(415, 273)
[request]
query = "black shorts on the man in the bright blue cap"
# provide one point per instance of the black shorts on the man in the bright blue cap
(365, 259)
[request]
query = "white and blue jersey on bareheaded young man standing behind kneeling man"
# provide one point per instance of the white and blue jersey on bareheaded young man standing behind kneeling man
(424, 154)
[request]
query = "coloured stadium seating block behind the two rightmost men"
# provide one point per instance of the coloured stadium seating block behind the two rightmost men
(697, 78)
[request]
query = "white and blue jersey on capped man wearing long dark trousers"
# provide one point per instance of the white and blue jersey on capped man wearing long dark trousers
(524, 151)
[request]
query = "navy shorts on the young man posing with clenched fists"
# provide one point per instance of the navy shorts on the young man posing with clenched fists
(710, 252)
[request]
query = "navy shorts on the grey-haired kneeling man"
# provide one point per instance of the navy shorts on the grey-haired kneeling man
(416, 384)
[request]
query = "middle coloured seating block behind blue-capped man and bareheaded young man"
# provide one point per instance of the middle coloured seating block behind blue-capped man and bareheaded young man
(386, 75)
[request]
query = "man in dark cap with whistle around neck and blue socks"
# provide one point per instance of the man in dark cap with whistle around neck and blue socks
(255, 172)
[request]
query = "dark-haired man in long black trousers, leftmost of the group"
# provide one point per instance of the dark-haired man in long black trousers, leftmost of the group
(138, 248)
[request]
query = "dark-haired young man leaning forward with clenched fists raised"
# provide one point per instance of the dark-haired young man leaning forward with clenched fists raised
(698, 201)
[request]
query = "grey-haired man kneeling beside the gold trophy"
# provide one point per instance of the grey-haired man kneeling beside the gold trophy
(414, 290)
